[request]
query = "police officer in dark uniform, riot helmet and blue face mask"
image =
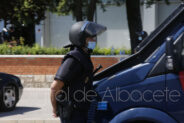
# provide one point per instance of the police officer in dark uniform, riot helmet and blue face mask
(75, 74)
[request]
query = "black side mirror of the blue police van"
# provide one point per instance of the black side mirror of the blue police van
(169, 54)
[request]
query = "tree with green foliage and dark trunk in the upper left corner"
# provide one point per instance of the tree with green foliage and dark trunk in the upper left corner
(24, 14)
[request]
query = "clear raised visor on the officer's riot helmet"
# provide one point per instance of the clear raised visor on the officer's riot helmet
(94, 29)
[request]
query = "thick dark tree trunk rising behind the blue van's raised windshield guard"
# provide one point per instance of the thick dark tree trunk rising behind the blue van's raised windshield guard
(134, 21)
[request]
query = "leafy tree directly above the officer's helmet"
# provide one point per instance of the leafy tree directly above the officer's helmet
(80, 9)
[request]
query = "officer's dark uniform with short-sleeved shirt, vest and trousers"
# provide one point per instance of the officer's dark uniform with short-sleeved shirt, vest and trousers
(76, 73)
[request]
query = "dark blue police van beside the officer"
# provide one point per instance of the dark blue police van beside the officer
(149, 85)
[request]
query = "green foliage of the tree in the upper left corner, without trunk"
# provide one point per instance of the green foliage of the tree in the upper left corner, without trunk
(24, 11)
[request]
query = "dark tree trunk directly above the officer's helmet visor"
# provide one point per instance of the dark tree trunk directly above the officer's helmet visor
(91, 9)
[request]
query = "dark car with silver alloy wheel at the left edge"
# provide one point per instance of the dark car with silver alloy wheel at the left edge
(10, 91)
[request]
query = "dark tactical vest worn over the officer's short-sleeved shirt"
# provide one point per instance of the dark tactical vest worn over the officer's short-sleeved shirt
(83, 83)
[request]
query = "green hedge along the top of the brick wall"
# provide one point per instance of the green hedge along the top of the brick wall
(37, 50)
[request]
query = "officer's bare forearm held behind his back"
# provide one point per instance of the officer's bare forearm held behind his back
(55, 87)
